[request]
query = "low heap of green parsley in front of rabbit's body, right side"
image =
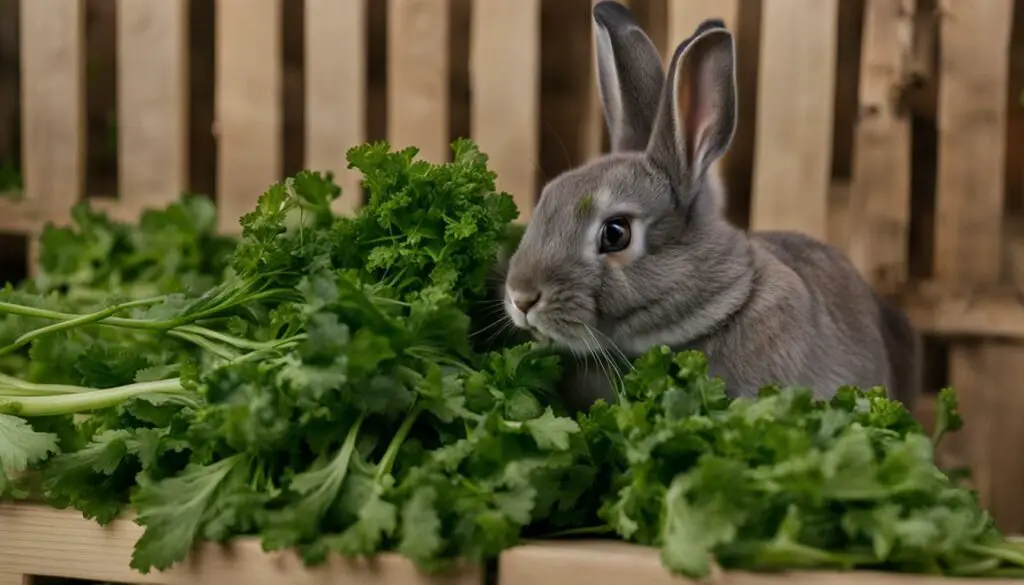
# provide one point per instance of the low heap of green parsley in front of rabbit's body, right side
(784, 481)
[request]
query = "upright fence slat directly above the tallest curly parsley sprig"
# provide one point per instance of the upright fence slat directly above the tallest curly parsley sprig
(418, 77)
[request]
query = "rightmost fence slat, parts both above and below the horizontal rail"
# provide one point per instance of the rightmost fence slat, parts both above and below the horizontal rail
(972, 110)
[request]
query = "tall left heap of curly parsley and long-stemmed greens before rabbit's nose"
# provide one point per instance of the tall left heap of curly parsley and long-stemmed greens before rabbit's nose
(325, 396)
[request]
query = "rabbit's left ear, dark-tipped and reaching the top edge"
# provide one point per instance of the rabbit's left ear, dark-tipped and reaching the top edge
(630, 76)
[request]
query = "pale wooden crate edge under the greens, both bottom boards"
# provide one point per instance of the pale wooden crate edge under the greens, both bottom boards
(39, 541)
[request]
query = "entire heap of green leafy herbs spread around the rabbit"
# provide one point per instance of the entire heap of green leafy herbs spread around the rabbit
(321, 383)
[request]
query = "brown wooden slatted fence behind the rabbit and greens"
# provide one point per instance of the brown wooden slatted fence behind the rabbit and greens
(930, 208)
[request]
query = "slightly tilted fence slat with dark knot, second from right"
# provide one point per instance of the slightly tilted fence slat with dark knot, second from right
(882, 152)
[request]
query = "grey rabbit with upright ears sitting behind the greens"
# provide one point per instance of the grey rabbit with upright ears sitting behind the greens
(632, 250)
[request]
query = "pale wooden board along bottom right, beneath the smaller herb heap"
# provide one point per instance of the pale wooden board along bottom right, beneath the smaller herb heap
(609, 563)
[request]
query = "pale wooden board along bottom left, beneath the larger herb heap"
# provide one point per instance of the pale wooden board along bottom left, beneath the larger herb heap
(46, 542)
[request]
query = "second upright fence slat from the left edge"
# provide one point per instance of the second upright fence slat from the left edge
(153, 102)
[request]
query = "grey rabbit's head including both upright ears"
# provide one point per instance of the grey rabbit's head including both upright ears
(632, 248)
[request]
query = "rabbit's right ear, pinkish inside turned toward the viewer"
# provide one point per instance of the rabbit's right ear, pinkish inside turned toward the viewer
(697, 119)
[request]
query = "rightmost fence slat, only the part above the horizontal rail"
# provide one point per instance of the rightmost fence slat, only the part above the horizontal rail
(973, 69)
